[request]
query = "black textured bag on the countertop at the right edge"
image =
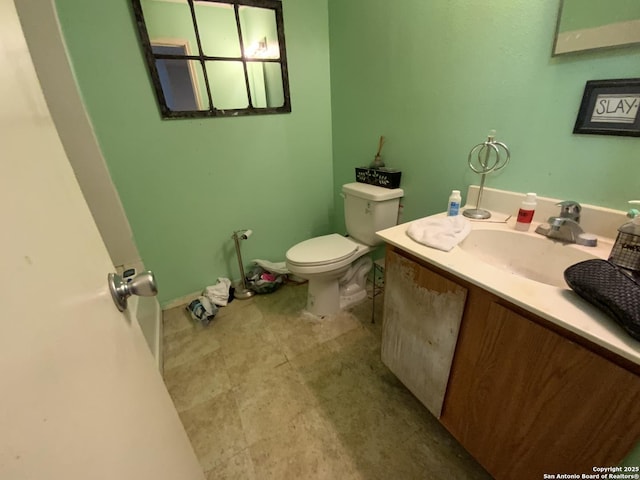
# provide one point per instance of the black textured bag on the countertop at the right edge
(609, 288)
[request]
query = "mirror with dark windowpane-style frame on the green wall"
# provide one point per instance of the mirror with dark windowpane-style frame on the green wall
(215, 58)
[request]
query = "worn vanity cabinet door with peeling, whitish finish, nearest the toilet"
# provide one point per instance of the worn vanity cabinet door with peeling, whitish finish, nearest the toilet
(422, 315)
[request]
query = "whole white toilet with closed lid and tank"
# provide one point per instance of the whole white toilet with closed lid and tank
(337, 267)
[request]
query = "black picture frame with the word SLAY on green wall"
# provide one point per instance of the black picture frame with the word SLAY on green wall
(610, 107)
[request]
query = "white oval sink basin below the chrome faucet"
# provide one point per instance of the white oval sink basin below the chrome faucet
(534, 257)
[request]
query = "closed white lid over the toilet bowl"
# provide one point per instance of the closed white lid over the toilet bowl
(322, 250)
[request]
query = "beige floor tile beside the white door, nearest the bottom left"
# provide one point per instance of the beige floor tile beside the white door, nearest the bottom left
(215, 431)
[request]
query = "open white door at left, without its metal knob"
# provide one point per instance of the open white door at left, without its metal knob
(80, 396)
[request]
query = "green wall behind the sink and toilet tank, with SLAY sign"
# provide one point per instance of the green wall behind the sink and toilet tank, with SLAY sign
(434, 77)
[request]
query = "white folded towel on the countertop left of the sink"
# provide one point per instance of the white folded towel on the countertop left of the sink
(442, 233)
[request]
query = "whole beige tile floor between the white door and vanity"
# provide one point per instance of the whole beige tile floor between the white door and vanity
(268, 392)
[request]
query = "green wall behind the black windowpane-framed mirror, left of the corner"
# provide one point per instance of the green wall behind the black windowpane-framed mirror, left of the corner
(186, 185)
